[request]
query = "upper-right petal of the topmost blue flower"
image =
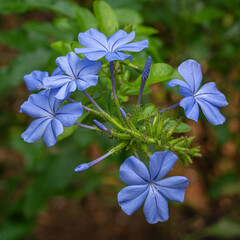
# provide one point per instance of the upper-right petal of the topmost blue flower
(119, 39)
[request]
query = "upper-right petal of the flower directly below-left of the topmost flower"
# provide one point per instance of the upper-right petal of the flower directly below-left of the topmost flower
(88, 67)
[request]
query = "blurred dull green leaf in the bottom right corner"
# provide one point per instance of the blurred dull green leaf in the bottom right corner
(224, 229)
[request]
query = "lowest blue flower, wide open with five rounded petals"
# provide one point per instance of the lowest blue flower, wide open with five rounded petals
(150, 186)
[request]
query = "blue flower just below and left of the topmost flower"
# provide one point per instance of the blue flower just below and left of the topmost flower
(78, 74)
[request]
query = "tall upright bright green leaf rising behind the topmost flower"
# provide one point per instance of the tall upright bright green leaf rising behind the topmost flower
(106, 18)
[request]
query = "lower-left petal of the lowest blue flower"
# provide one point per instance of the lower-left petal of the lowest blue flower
(132, 197)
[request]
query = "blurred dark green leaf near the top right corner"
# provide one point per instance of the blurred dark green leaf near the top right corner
(208, 14)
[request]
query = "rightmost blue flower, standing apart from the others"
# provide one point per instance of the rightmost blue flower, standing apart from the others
(208, 96)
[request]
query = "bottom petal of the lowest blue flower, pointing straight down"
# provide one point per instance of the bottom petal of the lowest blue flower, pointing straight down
(156, 207)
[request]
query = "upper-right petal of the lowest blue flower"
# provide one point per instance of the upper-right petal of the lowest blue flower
(160, 164)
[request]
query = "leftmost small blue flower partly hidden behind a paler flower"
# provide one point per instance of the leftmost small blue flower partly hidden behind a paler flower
(34, 80)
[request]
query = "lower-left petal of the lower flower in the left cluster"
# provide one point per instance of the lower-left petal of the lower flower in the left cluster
(35, 129)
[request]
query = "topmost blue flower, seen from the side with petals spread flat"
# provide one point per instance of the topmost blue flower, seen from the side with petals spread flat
(97, 45)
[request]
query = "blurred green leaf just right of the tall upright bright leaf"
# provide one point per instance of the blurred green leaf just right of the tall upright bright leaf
(128, 16)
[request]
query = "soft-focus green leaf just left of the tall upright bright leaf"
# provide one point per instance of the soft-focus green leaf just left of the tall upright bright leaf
(85, 19)
